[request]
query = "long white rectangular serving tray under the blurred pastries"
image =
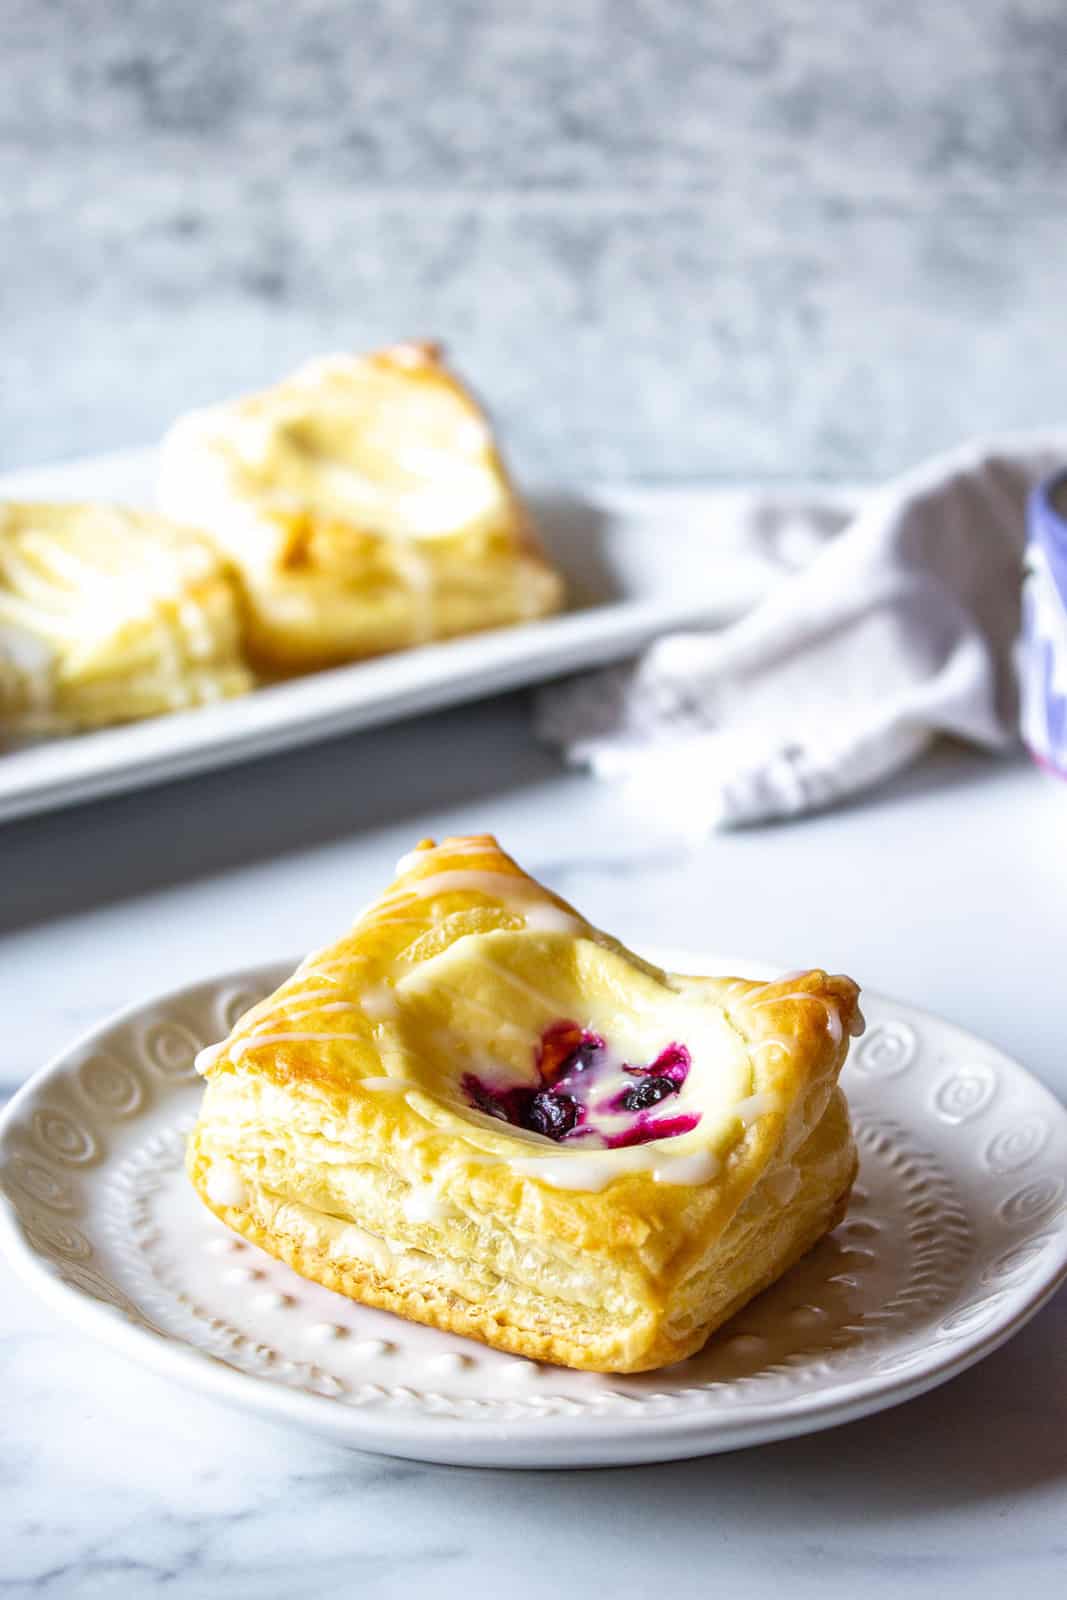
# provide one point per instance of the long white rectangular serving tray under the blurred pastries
(639, 564)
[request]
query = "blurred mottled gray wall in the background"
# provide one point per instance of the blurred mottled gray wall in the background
(666, 239)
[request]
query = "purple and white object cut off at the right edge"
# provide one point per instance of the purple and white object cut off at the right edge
(1044, 646)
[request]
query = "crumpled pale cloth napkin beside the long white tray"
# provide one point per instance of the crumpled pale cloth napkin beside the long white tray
(895, 625)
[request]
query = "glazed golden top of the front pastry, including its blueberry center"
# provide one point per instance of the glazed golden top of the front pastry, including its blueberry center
(474, 1007)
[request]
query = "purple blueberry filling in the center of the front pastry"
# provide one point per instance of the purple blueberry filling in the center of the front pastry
(573, 1102)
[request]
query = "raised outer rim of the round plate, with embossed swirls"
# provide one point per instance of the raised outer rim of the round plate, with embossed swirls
(994, 1130)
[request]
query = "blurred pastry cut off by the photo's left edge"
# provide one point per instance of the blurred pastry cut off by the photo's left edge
(108, 615)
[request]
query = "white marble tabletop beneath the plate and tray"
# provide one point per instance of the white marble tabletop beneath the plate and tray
(949, 889)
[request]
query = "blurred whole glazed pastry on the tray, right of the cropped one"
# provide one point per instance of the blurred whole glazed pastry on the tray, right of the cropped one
(366, 508)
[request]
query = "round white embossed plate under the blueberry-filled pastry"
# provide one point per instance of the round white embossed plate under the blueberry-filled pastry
(956, 1236)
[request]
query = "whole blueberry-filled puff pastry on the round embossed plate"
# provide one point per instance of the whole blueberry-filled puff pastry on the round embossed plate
(484, 1114)
